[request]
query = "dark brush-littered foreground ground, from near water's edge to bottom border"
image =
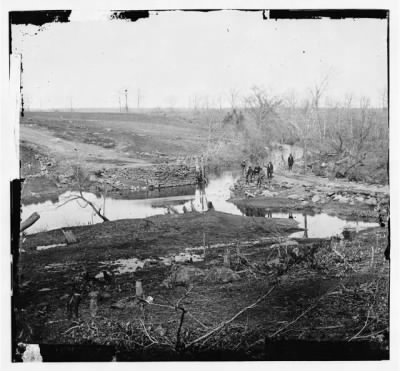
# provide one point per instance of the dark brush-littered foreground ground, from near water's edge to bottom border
(338, 288)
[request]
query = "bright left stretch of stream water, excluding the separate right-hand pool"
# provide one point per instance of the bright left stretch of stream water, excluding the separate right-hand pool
(61, 213)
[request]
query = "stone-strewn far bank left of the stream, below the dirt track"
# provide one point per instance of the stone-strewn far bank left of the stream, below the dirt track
(45, 178)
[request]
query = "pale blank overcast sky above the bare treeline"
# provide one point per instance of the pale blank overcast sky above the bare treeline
(174, 56)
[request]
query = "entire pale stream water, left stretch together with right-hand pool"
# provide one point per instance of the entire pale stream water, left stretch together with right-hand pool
(180, 200)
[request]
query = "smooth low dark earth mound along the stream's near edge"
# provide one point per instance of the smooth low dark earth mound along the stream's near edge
(164, 232)
